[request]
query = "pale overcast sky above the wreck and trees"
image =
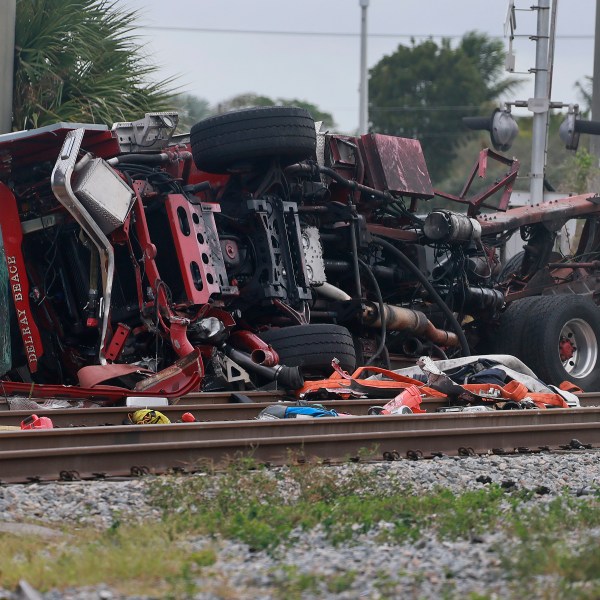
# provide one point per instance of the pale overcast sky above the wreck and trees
(202, 44)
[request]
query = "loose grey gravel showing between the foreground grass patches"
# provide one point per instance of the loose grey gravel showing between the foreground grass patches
(427, 568)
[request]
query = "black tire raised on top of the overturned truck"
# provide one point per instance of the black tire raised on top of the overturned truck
(253, 136)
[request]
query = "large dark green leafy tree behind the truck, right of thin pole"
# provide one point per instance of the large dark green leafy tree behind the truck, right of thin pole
(422, 91)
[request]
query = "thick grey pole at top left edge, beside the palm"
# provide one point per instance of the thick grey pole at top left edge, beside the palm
(8, 9)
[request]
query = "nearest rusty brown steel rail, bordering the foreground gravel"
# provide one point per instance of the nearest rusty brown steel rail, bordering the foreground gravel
(157, 458)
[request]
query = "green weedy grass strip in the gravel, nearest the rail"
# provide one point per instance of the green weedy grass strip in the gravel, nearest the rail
(252, 507)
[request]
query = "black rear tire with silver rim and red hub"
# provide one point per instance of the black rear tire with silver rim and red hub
(561, 340)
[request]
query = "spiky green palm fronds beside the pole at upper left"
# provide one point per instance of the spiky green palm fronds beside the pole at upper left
(77, 60)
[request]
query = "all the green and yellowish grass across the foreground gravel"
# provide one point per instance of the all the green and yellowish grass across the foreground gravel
(554, 550)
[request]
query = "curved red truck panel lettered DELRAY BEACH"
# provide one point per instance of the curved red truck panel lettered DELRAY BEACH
(12, 236)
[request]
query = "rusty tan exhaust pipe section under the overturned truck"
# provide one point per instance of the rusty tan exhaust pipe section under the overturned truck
(398, 318)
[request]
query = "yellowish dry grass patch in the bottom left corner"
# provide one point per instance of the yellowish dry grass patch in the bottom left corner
(141, 559)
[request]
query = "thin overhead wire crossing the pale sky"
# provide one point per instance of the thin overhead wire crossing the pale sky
(329, 34)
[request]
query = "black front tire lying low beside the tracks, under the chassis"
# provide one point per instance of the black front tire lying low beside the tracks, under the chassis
(312, 347)
